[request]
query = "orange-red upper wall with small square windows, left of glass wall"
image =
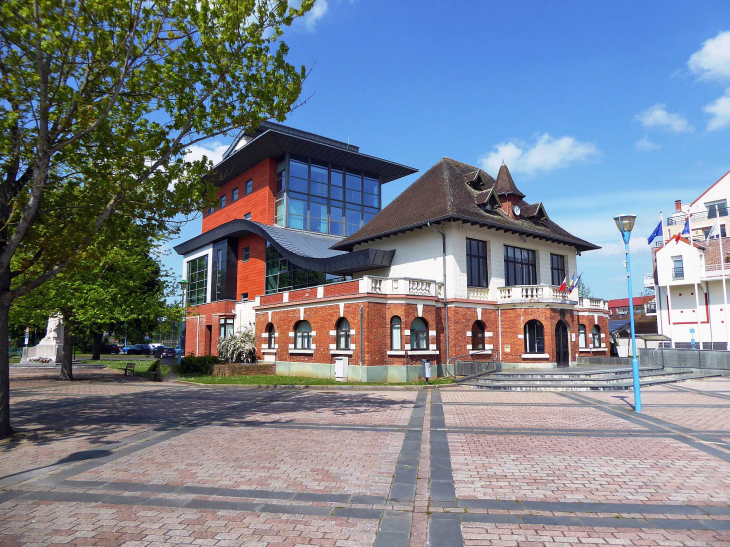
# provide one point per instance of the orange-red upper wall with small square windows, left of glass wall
(260, 202)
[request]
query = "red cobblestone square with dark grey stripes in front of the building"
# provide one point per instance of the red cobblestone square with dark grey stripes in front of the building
(109, 460)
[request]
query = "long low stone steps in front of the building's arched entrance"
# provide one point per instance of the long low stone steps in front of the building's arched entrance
(588, 386)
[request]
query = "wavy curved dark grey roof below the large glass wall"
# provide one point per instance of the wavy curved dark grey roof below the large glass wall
(305, 249)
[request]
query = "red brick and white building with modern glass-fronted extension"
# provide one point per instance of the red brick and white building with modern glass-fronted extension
(457, 266)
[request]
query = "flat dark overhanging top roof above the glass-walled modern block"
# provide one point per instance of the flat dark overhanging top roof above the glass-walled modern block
(272, 140)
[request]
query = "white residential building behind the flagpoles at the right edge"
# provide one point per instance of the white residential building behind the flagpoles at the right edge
(691, 275)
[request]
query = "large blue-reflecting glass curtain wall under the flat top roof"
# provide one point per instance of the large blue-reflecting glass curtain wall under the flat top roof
(324, 198)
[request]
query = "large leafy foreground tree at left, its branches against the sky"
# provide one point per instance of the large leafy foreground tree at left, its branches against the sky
(99, 101)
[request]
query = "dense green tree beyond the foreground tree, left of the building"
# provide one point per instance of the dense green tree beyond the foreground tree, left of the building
(126, 286)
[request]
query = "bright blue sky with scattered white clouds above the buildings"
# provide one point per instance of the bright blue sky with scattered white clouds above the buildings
(596, 108)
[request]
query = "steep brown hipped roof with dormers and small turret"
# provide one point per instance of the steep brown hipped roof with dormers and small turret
(443, 193)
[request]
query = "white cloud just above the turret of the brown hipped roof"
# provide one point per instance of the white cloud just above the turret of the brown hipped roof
(547, 154)
